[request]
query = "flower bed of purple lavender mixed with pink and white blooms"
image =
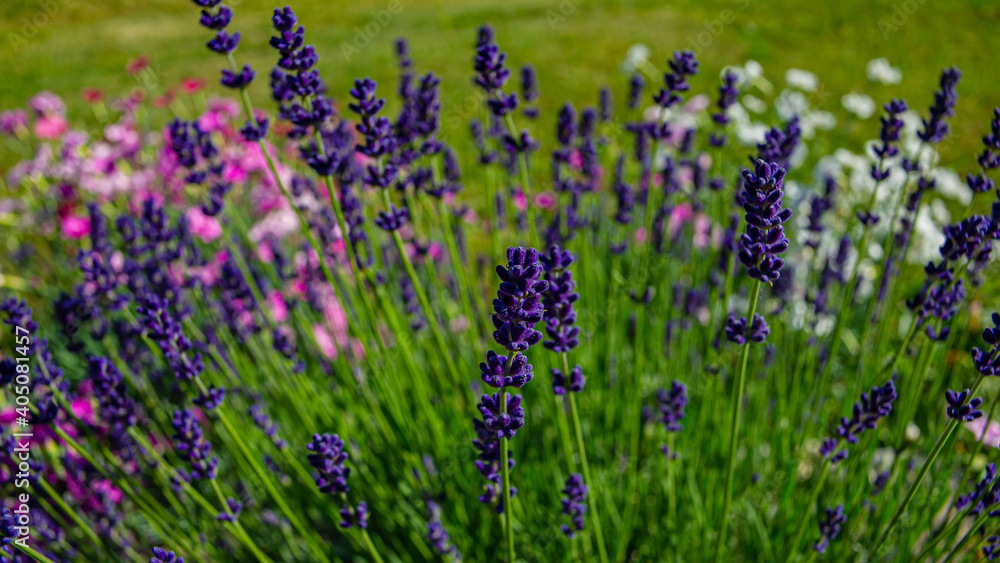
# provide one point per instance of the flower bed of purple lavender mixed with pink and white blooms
(180, 297)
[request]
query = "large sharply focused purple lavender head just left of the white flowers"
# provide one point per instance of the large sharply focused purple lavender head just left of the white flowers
(765, 237)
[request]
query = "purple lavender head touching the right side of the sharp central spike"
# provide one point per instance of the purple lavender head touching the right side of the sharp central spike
(558, 299)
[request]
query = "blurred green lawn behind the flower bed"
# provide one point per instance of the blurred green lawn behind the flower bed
(577, 46)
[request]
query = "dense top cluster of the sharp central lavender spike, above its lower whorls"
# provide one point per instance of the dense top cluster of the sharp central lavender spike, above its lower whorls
(518, 305)
